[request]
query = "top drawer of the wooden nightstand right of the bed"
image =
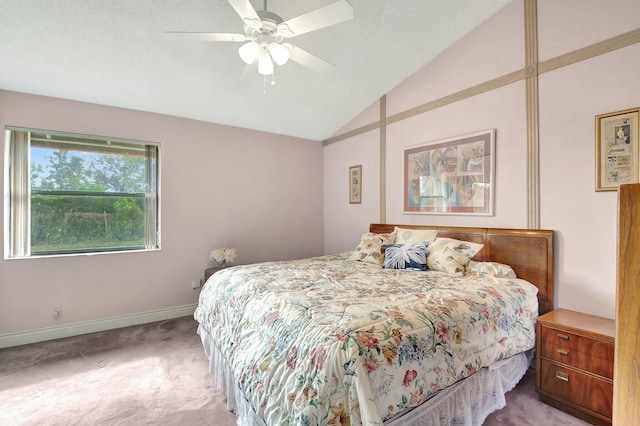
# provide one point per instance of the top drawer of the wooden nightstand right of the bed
(581, 352)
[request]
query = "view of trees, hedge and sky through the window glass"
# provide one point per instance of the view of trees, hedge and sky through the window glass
(63, 219)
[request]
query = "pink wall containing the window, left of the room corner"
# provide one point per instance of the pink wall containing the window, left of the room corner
(220, 186)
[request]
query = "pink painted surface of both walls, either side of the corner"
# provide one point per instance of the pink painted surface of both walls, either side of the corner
(229, 186)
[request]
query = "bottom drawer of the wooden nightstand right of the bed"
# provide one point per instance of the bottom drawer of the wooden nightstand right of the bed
(585, 390)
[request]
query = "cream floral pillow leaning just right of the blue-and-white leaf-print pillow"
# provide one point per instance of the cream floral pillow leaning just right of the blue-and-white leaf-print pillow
(450, 255)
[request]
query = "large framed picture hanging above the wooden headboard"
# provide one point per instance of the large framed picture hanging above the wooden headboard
(451, 176)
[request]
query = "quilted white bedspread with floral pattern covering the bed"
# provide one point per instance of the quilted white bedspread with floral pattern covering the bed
(328, 341)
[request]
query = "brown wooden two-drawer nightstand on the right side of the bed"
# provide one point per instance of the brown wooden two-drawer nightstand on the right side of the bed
(574, 364)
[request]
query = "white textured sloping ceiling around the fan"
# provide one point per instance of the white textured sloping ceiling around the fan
(115, 53)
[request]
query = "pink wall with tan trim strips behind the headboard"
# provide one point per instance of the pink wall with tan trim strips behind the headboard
(569, 99)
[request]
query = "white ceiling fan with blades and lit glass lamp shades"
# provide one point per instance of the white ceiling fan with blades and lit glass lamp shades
(264, 33)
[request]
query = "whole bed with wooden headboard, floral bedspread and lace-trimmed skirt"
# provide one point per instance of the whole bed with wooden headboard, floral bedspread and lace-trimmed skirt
(340, 341)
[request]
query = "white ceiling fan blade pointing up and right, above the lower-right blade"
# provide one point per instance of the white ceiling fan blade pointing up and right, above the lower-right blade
(332, 14)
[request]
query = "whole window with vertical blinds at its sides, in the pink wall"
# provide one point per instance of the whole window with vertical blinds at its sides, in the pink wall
(67, 193)
